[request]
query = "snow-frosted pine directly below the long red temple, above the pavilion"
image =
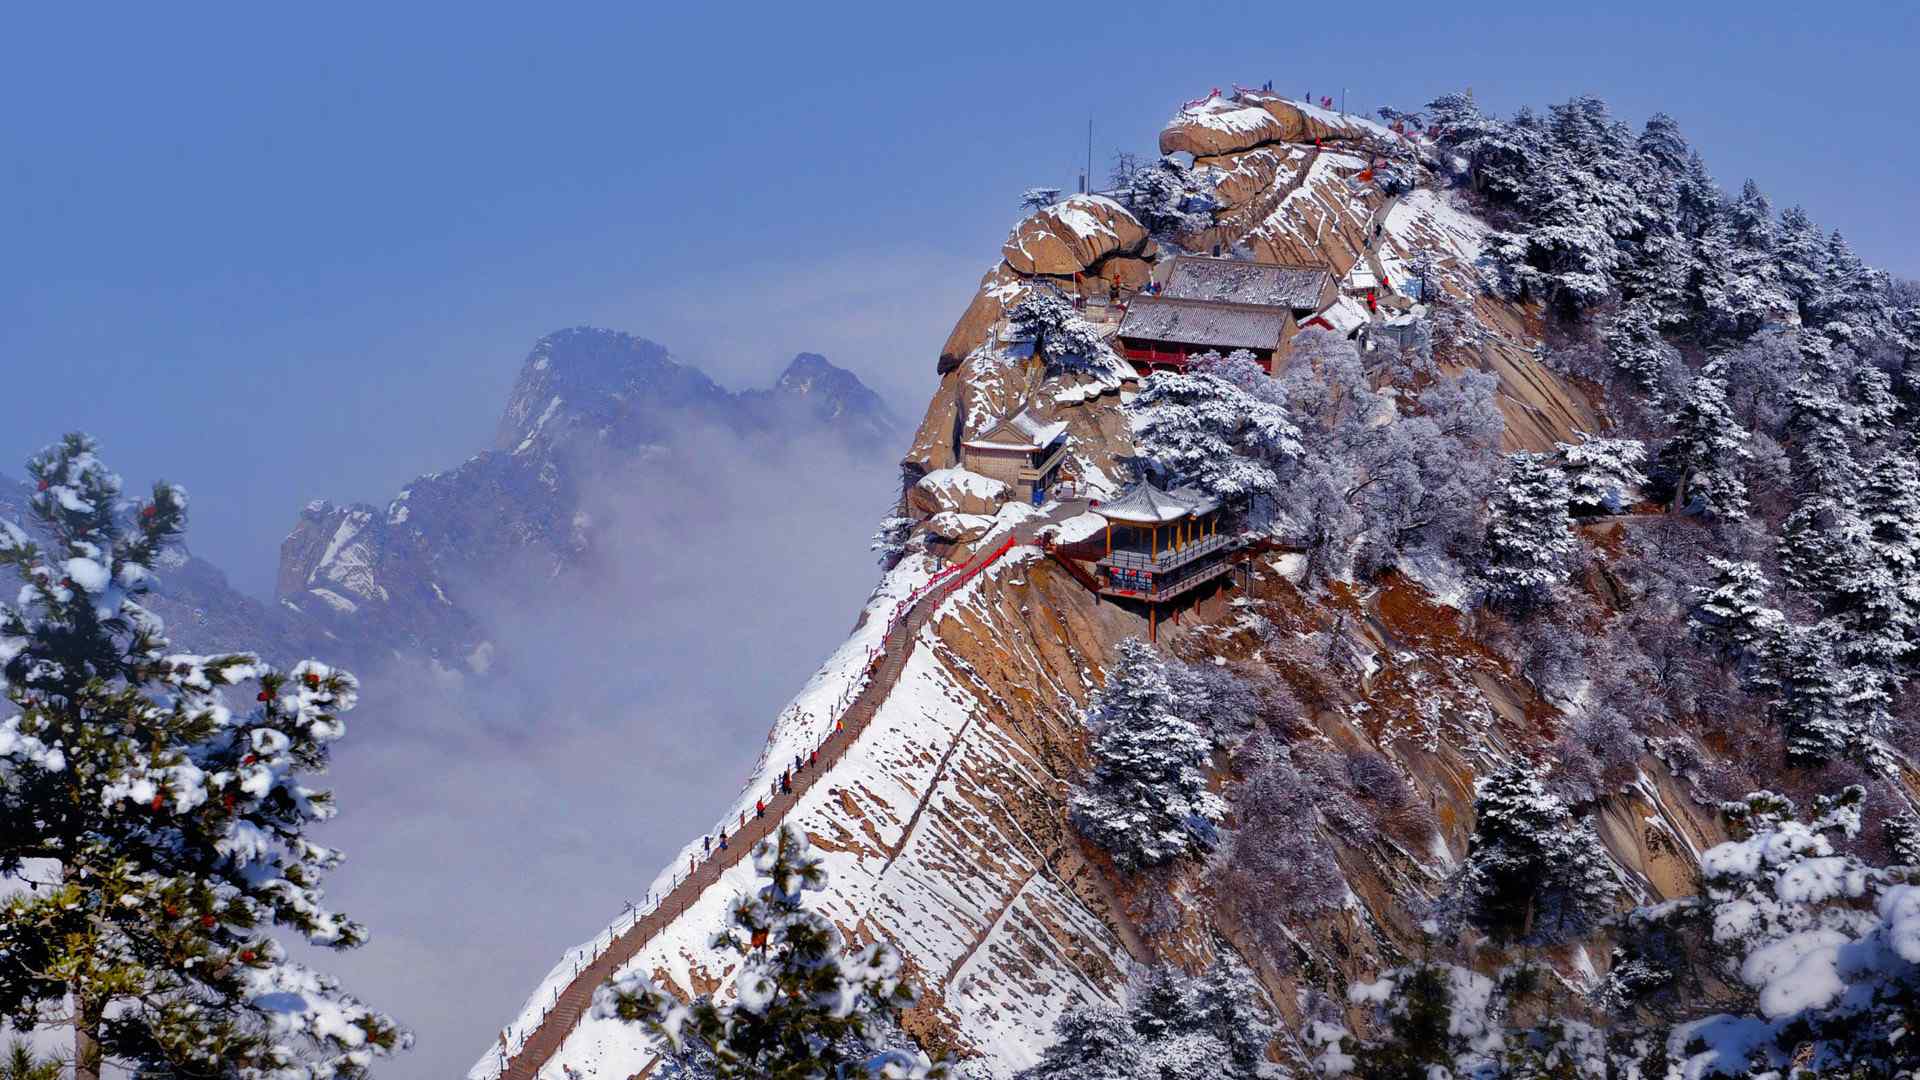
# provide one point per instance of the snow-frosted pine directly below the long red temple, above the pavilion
(1205, 431)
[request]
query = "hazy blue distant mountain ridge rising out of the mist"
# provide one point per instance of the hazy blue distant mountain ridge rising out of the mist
(592, 408)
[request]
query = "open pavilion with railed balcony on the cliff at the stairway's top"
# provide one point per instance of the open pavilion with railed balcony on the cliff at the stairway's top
(1161, 547)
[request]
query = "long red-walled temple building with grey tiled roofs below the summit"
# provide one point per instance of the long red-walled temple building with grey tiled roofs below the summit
(1222, 307)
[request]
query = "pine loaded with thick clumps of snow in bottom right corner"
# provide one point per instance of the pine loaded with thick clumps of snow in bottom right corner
(1819, 945)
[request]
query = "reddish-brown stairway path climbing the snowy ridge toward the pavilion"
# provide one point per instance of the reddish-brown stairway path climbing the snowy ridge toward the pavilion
(577, 998)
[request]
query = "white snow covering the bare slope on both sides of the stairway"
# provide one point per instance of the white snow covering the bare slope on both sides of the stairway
(909, 873)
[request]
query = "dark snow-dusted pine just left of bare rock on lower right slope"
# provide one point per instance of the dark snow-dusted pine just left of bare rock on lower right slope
(1533, 873)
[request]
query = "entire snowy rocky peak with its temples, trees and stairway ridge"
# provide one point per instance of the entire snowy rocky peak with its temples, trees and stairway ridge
(1414, 476)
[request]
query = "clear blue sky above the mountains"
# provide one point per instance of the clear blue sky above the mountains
(283, 253)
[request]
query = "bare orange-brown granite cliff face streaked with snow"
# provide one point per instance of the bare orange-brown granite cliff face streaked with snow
(948, 820)
